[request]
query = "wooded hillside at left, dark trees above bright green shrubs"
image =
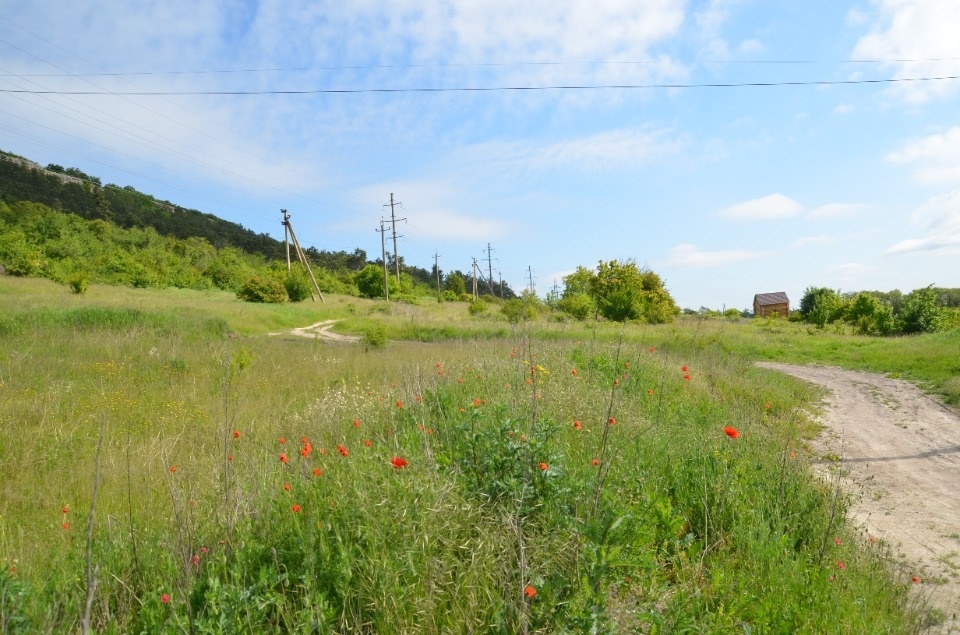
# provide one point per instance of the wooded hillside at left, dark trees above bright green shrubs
(63, 224)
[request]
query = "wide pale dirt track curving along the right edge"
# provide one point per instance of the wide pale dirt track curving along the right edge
(902, 451)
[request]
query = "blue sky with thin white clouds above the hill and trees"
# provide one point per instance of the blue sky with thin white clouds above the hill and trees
(734, 147)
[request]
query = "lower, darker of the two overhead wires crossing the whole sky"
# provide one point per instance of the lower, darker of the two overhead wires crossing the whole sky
(480, 89)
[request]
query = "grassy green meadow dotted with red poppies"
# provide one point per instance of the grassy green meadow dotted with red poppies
(168, 465)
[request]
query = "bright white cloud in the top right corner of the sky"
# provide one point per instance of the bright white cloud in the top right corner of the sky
(915, 30)
